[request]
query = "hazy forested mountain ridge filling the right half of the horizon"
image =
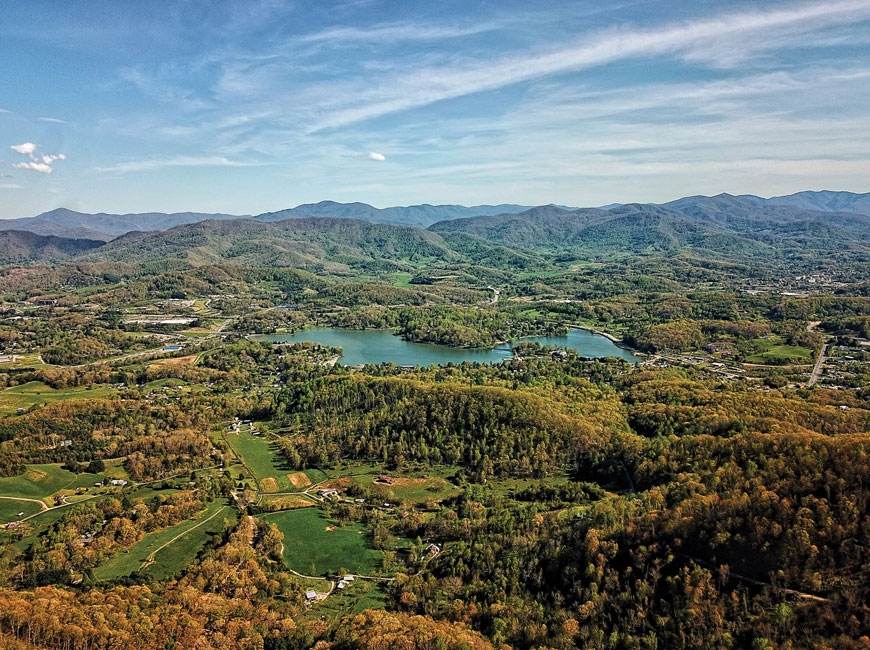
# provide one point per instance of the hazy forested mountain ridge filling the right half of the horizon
(723, 226)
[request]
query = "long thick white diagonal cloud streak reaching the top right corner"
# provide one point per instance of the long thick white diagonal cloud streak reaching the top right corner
(718, 41)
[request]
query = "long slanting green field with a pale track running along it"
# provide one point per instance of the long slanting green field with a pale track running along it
(172, 549)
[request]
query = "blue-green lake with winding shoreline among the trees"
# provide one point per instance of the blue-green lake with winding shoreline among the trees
(380, 346)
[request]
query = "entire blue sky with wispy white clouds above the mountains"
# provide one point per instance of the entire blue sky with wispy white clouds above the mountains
(245, 106)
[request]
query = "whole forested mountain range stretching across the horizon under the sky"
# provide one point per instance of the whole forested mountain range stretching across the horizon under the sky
(358, 235)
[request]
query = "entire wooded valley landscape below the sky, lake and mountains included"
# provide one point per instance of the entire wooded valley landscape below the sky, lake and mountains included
(184, 430)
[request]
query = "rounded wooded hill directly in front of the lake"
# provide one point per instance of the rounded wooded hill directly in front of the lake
(489, 431)
